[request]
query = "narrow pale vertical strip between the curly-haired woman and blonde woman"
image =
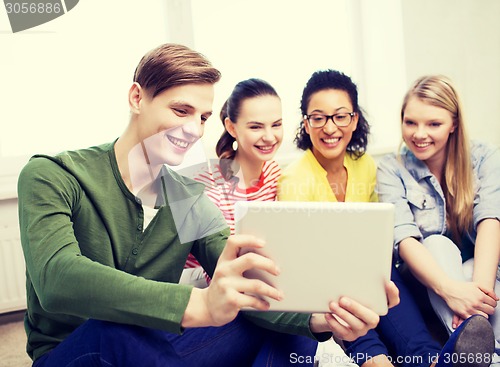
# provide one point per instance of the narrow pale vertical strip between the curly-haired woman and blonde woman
(380, 68)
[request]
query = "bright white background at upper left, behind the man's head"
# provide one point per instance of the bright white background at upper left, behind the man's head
(64, 83)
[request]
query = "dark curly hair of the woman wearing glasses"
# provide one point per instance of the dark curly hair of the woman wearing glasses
(333, 79)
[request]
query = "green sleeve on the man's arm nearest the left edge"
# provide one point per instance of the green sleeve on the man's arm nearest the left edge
(63, 281)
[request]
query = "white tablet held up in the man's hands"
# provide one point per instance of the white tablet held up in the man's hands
(325, 250)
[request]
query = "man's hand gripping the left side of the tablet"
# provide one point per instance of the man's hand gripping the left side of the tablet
(229, 291)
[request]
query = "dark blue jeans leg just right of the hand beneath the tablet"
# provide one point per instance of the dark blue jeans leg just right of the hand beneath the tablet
(401, 333)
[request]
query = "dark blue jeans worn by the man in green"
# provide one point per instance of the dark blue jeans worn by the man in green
(239, 343)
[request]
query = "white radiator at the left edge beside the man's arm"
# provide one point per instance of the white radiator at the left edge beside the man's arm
(12, 271)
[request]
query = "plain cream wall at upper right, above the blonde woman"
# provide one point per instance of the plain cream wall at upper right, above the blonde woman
(461, 39)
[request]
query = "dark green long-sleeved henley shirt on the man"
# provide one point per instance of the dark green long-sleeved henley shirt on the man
(88, 255)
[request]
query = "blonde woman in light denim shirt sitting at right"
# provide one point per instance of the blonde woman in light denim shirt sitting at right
(447, 196)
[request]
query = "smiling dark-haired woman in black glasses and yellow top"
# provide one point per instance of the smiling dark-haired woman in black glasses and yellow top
(334, 135)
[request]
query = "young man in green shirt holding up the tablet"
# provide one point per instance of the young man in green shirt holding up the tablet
(106, 232)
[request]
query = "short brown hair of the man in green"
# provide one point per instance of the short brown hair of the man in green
(171, 65)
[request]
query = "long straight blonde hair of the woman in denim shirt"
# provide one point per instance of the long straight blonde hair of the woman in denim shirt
(458, 182)
